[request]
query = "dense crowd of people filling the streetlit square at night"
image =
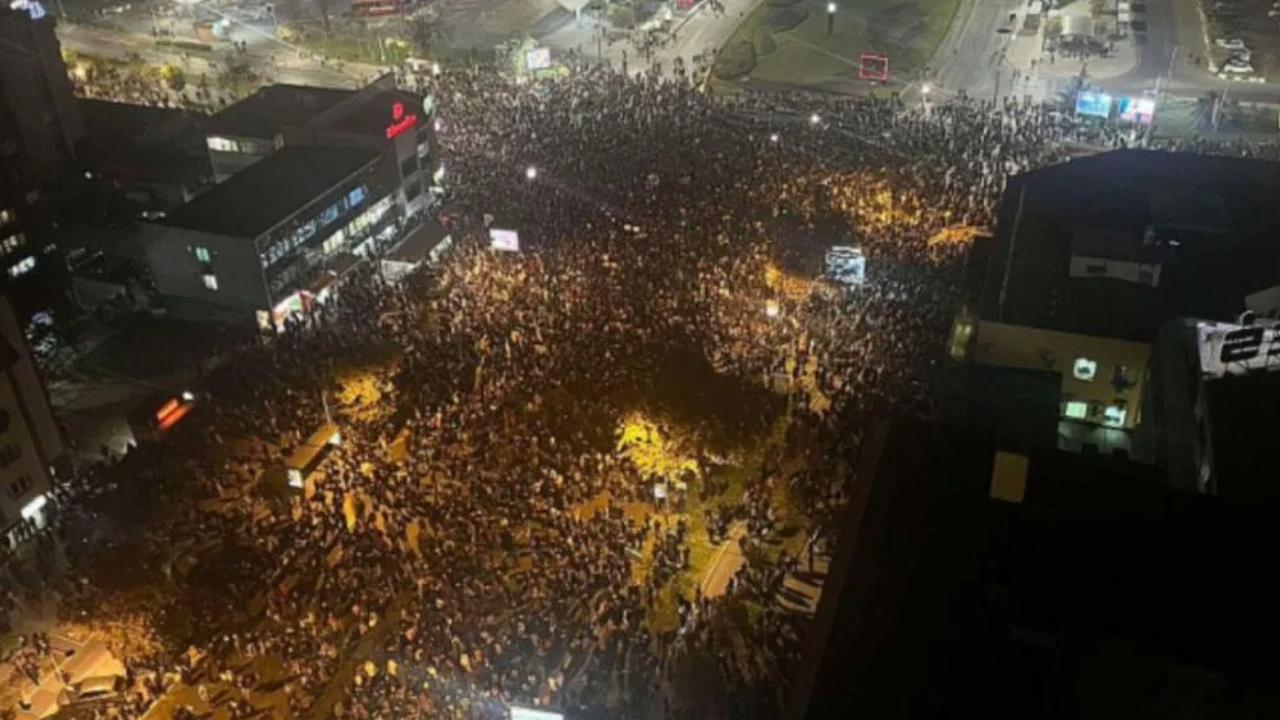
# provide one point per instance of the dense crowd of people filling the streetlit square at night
(477, 541)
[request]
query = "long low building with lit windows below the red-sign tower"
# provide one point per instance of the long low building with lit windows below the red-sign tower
(276, 238)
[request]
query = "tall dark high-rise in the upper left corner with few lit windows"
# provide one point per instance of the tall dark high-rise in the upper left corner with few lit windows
(40, 126)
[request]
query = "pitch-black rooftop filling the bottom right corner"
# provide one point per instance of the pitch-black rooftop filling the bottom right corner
(1103, 594)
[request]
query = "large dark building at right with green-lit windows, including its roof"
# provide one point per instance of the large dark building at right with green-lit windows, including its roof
(1127, 306)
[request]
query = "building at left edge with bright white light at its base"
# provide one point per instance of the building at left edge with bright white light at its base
(31, 444)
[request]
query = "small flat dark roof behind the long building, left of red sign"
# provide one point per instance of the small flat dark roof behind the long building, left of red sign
(276, 107)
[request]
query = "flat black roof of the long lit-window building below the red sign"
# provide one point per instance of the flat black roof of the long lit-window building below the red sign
(272, 190)
